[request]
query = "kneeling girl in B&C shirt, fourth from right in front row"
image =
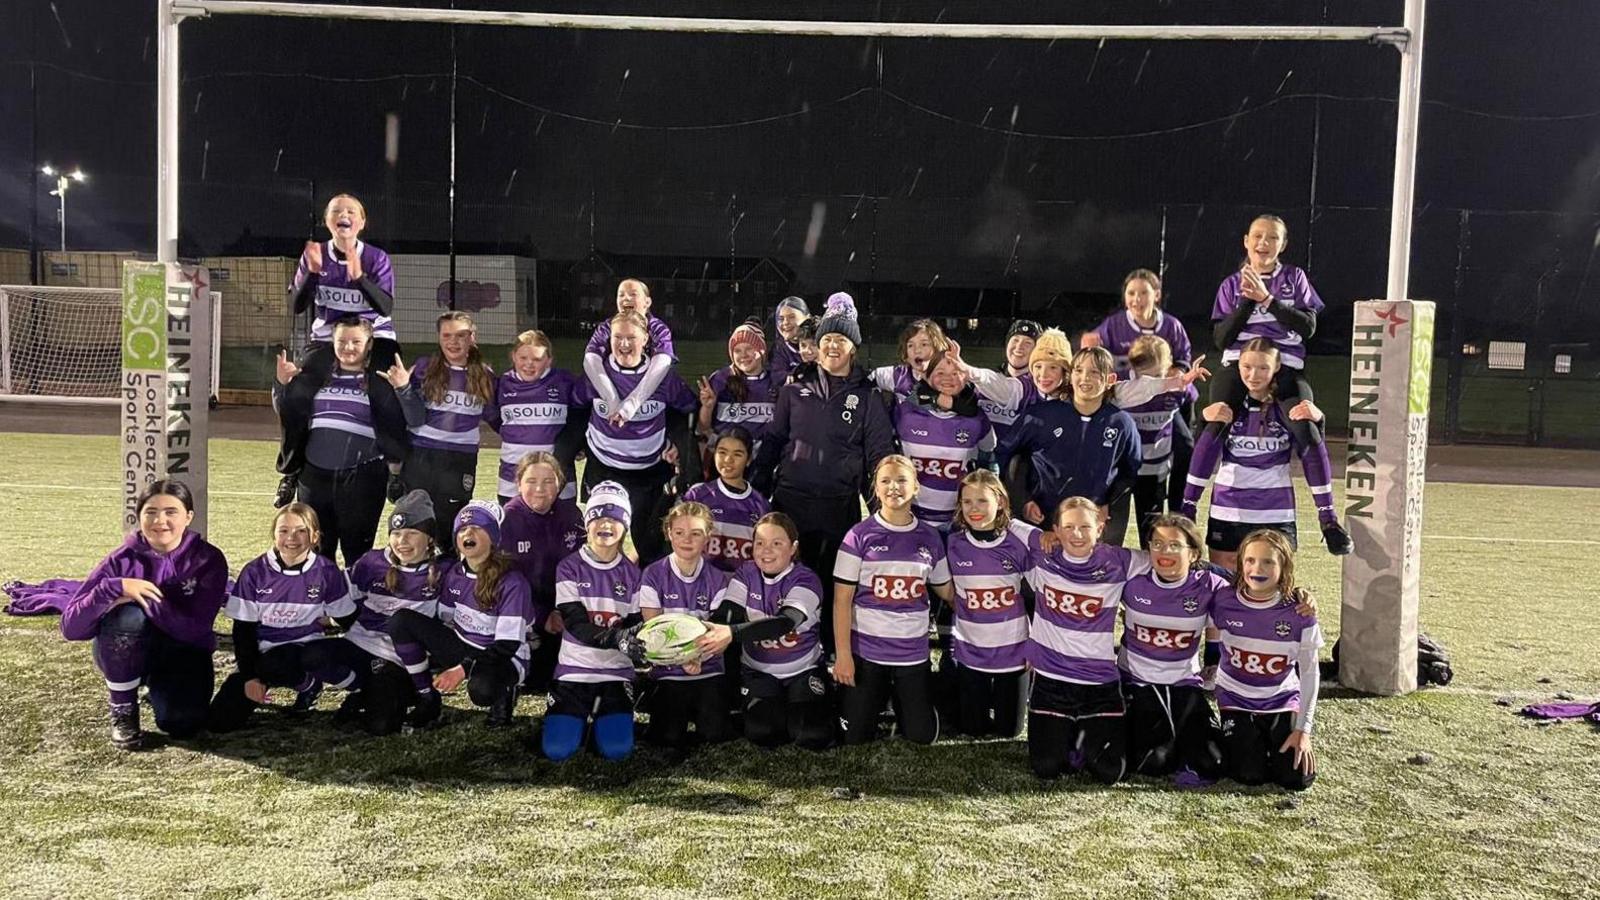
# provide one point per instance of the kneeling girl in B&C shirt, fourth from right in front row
(988, 558)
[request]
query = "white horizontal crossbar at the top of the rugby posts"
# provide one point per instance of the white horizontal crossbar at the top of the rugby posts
(202, 9)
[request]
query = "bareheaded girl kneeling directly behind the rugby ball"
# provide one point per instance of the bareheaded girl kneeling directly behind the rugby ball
(686, 582)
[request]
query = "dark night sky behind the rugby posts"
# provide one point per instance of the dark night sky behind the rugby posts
(1020, 166)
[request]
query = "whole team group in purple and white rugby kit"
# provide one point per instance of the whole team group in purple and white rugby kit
(534, 593)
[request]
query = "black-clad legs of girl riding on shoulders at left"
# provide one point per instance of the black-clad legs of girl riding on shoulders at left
(295, 408)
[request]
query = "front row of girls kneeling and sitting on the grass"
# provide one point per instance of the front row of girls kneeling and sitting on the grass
(1034, 630)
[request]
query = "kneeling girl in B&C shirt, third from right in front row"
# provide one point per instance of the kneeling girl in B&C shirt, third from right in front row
(1076, 718)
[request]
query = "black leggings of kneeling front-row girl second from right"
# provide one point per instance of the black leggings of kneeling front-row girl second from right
(1170, 729)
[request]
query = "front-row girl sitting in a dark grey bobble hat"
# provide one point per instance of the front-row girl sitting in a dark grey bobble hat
(366, 662)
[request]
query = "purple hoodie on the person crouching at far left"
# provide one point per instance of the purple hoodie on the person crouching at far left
(193, 581)
